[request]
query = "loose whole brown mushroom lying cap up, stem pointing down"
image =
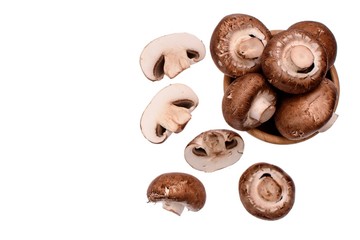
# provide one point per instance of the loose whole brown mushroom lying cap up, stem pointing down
(176, 191)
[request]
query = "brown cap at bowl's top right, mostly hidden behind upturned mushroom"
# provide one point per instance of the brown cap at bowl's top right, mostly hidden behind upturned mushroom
(323, 34)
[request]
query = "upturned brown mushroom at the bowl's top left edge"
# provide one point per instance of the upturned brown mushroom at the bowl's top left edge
(237, 43)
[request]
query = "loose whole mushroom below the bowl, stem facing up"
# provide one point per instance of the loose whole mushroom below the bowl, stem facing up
(266, 191)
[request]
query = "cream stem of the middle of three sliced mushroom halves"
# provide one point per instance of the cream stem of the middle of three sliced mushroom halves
(175, 118)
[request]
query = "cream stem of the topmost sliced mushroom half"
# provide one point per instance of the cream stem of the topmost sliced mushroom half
(176, 62)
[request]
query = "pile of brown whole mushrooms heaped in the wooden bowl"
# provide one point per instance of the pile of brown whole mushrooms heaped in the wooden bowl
(278, 82)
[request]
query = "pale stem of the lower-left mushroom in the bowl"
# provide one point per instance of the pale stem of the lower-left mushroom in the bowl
(262, 109)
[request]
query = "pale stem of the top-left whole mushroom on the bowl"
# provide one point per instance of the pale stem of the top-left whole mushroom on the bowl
(251, 48)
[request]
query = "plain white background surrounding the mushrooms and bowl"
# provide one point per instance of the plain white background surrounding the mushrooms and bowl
(73, 161)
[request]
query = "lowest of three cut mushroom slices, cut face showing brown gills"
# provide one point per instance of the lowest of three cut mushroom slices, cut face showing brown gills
(214, 149)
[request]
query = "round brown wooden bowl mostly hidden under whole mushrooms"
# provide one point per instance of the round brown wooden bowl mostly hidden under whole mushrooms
(267, 131)
